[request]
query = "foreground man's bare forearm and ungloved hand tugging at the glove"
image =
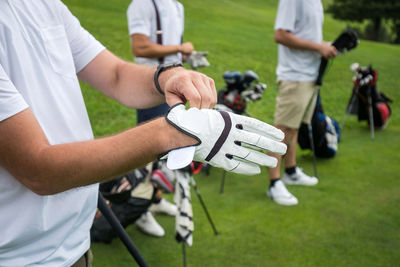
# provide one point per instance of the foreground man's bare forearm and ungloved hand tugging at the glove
(133, 85)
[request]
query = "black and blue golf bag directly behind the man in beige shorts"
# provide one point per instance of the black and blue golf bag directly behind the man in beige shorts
(325, 131)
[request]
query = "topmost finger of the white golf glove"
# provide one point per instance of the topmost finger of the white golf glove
(259, 127)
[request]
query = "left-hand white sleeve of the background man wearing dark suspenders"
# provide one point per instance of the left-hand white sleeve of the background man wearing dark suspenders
(140, 16)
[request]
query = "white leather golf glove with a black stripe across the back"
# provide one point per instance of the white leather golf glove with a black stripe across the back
(226, 140)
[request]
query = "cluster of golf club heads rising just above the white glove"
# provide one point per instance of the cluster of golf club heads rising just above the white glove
(239, 89)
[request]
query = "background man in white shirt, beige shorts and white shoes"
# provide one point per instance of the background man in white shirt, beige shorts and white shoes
(298, 31)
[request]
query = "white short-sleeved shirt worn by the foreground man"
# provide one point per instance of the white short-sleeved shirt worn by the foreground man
(42, 47)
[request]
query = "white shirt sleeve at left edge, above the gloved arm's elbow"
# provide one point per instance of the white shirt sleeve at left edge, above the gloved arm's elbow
(11, 101)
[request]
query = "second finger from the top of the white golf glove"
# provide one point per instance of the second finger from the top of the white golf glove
(262, 142)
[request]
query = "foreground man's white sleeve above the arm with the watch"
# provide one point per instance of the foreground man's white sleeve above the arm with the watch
(84, 47)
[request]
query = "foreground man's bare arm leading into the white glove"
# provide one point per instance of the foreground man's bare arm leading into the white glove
(48, 169)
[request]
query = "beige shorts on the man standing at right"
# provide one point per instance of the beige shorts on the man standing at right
(292, 102)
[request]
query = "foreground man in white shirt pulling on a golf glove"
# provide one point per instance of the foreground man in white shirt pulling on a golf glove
(49, 163)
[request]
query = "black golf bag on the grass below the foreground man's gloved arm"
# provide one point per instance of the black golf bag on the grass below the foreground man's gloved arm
(125, 207)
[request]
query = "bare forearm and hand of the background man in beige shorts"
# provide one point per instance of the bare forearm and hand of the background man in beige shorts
(288, 39)
